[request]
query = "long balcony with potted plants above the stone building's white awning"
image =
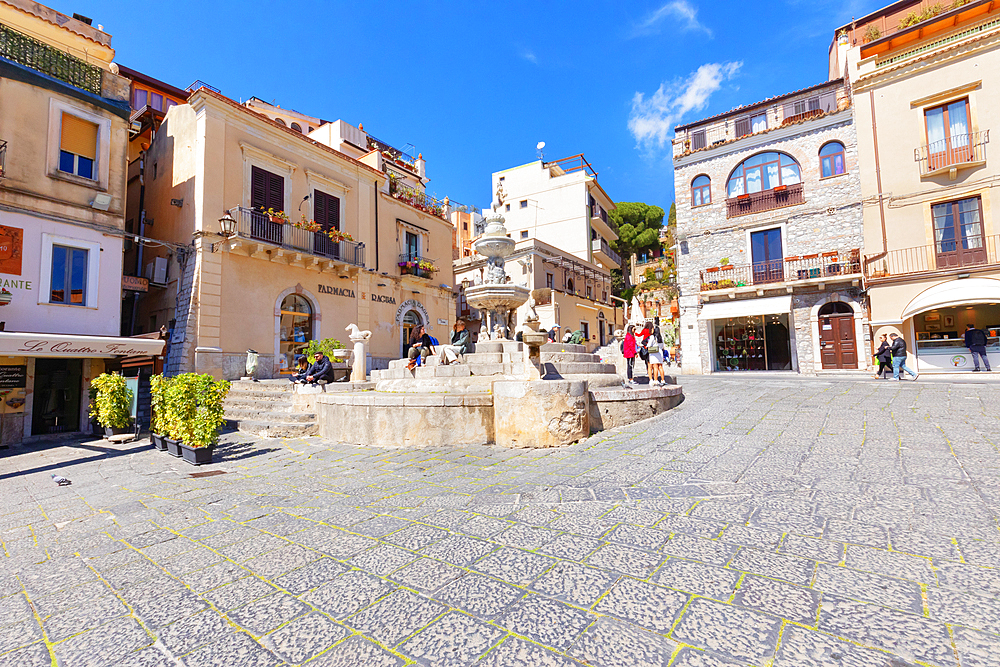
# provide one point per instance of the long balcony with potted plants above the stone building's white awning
(815, 268)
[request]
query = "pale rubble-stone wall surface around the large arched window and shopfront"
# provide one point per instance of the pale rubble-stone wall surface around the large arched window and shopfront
(829, 219)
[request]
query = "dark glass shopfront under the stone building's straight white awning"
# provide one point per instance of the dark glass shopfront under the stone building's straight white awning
(753, 343)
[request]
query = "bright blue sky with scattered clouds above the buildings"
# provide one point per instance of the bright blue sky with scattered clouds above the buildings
(474, 85)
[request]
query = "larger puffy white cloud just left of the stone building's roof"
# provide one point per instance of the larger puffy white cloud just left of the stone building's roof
(652, 119)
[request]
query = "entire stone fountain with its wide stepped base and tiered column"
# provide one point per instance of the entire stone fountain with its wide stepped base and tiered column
(510, 393)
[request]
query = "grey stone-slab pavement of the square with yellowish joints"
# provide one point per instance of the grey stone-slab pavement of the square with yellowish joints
(763, 522)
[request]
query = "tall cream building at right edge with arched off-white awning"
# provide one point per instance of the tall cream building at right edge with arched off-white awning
(926, 85)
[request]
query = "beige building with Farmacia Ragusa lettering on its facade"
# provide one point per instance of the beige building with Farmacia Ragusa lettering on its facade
(331, 228)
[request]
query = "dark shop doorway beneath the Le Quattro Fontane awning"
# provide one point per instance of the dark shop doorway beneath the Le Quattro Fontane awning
(56, 404)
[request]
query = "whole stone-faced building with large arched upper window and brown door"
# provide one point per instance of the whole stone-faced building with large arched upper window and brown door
(769, 230)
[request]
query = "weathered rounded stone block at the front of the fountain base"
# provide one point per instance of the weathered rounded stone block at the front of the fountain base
(549, 413)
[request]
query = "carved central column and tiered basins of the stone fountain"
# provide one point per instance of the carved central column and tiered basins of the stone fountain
(495, 295)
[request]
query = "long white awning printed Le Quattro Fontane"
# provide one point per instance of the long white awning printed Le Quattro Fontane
(13, 344)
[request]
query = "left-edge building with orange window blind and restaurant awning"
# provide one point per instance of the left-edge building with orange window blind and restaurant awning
(63, 133)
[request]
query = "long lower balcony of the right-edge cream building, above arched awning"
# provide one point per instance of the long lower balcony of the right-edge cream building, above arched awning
(953, 256)
